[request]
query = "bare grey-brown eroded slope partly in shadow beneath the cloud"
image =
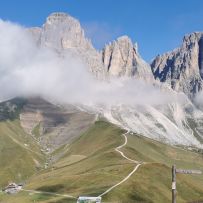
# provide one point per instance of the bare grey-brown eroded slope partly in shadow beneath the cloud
(56, 125)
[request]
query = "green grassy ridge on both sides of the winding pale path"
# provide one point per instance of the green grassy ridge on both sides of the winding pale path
(90, 166)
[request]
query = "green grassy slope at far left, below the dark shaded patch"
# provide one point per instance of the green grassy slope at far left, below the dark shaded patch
(19, 155)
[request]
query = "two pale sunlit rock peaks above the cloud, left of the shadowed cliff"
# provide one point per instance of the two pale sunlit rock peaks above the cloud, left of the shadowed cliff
(63, 33)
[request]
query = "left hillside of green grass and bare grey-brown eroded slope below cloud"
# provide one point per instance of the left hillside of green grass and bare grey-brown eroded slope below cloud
(28, 129)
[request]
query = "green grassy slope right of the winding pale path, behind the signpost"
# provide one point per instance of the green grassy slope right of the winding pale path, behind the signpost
(152, 182)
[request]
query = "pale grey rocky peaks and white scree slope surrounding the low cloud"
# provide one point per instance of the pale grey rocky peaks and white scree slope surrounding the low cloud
(178, 72)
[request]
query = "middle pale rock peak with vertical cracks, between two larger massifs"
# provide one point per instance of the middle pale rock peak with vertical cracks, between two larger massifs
(121, 58)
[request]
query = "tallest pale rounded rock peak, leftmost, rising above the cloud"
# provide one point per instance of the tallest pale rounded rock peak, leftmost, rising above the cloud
(63, 33)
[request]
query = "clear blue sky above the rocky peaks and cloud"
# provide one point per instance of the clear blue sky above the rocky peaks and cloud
(157, 25)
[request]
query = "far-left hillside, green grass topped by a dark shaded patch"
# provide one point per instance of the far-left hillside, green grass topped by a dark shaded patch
(20, 155)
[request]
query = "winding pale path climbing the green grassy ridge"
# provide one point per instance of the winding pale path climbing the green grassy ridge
(138, 164)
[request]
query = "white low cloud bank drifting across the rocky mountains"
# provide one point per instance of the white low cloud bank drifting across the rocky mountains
(27, 70)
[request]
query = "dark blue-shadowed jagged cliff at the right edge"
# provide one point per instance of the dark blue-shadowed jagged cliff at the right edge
(182, 68)
